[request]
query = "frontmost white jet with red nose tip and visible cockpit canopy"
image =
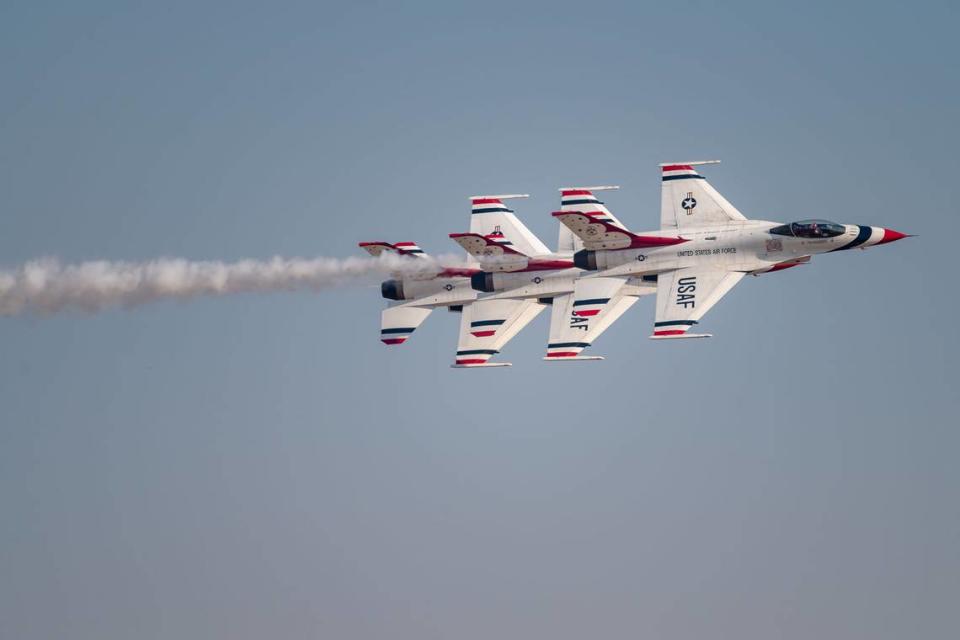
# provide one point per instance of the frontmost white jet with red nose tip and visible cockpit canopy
(704, 247)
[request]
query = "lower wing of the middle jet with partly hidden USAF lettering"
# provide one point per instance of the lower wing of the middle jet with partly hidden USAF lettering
(579, 318)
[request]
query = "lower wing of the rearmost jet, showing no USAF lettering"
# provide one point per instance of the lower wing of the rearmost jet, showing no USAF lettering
(487, 325)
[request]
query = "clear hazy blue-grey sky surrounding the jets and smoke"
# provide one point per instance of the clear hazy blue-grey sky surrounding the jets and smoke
(262, 466)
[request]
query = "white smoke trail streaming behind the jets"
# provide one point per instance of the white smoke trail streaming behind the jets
(46, 286)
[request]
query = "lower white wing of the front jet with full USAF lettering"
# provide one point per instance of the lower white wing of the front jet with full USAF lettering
(684, 295)
